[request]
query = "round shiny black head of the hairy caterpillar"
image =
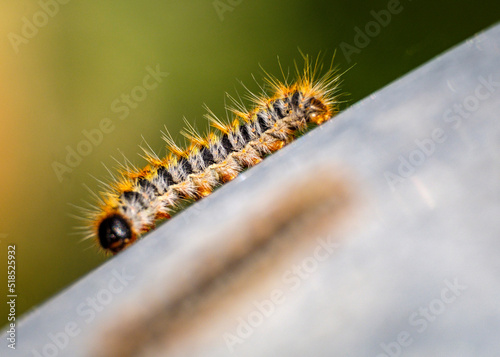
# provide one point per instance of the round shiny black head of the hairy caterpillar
(115, 233)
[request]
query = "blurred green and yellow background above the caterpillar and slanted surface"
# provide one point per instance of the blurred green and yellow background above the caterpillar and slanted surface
(63, 80)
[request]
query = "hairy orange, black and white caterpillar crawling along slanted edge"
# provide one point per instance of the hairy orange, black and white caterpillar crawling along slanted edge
(131, 205)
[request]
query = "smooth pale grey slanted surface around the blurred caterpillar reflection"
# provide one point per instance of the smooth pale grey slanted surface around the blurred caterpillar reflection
(437, 226)
